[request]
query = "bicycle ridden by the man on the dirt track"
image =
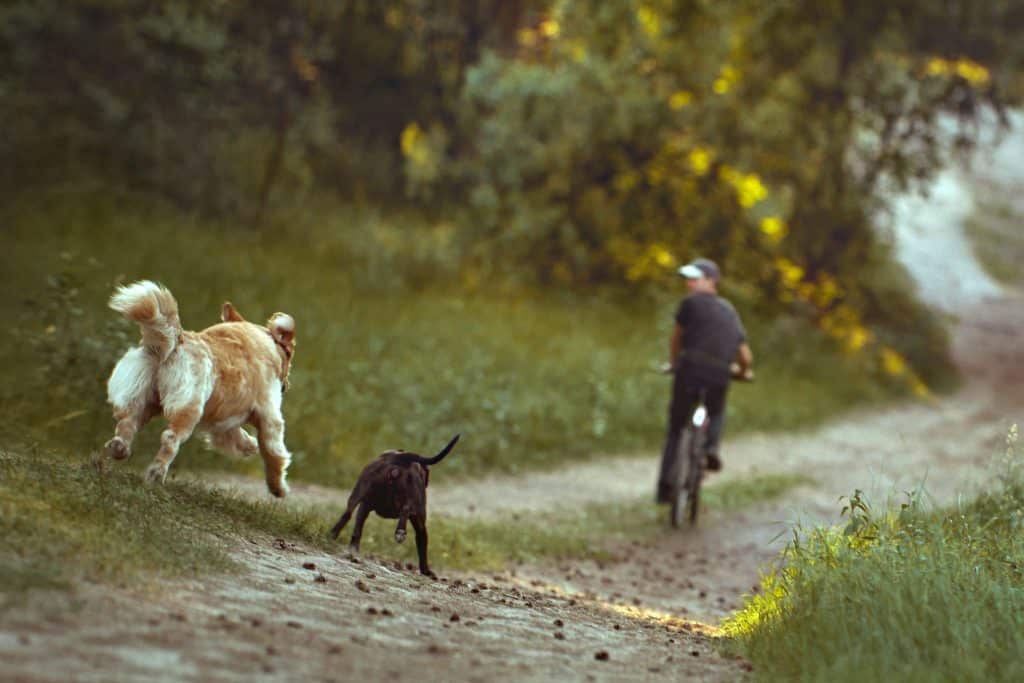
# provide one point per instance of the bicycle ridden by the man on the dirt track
(686, 492)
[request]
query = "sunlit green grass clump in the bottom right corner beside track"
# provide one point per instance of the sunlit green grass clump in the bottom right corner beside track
(914, 594)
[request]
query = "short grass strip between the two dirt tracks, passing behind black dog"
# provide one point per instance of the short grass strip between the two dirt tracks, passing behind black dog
(63, 522)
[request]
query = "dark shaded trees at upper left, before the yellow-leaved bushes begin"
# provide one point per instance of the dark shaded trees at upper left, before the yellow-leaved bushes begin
(217, 105)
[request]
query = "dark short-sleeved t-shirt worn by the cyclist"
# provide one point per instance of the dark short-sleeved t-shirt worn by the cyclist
(712, 335)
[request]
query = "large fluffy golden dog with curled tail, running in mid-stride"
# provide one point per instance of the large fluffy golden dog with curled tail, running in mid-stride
(218, 380)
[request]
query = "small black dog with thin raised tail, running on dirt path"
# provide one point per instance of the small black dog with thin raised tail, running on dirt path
(394, 486)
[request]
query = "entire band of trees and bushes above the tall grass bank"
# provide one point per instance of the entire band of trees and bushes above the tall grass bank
(573, 143)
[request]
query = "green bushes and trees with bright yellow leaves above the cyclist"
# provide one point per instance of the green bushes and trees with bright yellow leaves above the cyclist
(624, 137)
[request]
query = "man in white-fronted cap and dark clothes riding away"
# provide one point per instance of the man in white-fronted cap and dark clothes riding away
(709, 338)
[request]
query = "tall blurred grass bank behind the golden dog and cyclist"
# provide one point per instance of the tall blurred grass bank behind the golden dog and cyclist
(397, 347)
